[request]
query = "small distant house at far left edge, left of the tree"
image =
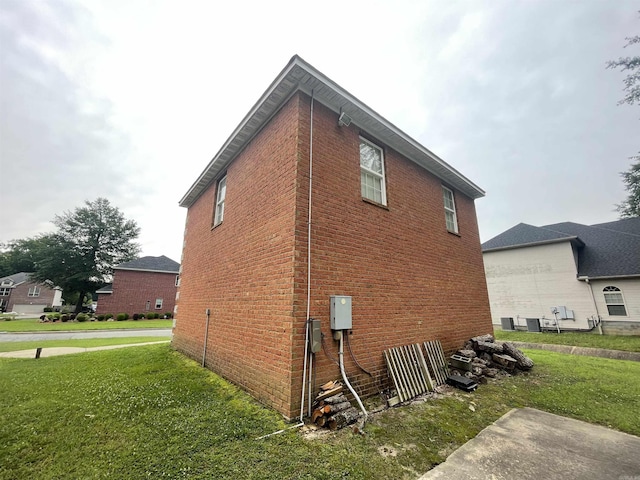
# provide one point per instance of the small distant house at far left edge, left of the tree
(19, 294)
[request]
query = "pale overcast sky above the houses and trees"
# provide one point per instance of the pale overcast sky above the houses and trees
(130, 100)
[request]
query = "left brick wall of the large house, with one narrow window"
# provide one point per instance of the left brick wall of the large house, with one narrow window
(242, 270)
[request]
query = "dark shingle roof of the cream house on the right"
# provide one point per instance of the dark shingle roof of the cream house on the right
(609, 249)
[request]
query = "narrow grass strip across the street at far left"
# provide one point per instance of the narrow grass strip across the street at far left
(34, 325)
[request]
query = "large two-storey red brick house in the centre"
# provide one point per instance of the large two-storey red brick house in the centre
(311, 169)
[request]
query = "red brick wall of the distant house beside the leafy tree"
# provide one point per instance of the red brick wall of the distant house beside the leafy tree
(132, 289)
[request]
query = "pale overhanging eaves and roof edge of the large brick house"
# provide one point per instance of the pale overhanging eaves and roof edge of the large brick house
(298, 75)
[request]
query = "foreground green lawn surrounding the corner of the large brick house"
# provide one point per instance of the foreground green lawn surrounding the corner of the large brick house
(149, 412)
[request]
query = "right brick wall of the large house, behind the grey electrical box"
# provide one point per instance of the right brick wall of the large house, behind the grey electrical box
(409, 278)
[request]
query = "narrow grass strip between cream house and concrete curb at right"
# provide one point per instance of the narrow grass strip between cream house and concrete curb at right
(611, 342)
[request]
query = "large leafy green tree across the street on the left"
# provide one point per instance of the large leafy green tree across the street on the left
(89, 242)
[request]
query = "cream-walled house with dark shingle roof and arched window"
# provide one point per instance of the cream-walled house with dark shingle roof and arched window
(585, 274)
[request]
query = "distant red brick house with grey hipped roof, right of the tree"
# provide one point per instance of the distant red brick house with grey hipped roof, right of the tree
(147, 284)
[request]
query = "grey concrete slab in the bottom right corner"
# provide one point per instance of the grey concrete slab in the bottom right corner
(528, 444)
